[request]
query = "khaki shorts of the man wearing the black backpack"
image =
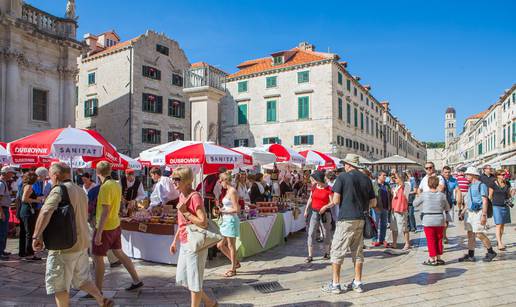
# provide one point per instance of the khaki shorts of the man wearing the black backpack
(65, 270)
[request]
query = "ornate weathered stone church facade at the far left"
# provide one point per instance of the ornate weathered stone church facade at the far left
(38, 68)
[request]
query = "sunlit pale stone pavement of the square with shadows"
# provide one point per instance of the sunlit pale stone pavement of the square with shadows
(391, 279)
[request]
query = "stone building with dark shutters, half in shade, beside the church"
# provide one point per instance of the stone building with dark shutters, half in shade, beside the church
(132, 91)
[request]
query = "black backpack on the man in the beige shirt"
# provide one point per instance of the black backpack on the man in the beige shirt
(61, 232)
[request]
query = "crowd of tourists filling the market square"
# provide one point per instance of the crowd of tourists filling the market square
(339, 203)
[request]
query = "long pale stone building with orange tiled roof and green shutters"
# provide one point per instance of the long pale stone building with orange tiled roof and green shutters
(309, 100)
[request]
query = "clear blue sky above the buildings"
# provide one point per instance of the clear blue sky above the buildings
(421, 56)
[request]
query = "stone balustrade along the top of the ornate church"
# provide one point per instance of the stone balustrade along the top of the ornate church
(49, 23)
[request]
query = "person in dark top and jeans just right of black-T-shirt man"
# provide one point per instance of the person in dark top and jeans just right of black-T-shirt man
(383, 205)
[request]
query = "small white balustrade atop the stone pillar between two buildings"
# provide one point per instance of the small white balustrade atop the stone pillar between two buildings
(205, 76)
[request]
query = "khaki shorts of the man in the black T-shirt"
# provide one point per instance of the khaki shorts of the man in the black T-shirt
(348, 235)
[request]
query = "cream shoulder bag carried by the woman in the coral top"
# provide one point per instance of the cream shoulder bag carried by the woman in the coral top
(201, 238)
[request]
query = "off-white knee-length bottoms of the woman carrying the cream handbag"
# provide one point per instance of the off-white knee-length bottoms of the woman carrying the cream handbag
(190, 268)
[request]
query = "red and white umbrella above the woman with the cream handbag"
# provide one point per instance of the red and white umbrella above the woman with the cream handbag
(207, 155)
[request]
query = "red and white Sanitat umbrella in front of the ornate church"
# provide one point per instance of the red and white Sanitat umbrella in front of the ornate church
(63, 143)
